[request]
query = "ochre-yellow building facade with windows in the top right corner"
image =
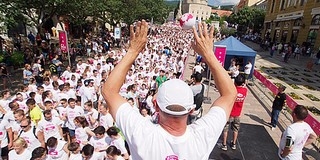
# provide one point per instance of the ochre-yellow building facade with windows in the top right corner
(294, 21)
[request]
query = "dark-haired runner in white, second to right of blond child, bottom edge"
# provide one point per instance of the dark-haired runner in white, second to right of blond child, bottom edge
(57, 149)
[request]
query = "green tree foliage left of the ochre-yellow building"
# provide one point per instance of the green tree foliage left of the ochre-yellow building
(248, 17)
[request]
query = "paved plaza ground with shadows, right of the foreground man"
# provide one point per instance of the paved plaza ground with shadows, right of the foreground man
(256, 139)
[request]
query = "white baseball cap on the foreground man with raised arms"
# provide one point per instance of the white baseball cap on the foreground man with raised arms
(175, 92)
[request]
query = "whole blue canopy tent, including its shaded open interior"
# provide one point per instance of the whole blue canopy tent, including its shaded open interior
(238, 50)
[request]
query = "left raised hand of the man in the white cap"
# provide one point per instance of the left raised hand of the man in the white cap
(138, 39)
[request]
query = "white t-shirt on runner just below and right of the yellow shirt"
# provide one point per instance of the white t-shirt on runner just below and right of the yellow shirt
(50, 128)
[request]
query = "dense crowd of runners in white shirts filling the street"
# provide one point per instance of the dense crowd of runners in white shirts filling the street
(61, 113)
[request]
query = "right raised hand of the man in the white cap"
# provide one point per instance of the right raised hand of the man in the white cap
(203, 43)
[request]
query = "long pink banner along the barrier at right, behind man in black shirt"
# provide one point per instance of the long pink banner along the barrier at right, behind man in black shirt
(314, 123)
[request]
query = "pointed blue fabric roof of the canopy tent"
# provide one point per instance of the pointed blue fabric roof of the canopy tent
(236, 48)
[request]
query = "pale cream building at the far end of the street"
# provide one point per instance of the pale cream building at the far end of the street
(198, 8)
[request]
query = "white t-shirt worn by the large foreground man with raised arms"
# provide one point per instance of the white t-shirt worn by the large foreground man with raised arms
(199, 138)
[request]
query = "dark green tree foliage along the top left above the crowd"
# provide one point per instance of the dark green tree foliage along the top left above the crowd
(36, 12)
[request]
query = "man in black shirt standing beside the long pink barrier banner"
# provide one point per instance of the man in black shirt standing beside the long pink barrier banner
(277, 105)
